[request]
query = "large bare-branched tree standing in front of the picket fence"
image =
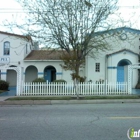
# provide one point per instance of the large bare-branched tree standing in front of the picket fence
(71, 26)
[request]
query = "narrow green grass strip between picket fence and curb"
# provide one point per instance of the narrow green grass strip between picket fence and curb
(74, 98)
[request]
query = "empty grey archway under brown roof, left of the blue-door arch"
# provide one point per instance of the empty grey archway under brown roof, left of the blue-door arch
(31, 73)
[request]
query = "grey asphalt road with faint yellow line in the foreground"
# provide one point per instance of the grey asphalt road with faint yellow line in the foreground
(69, 122)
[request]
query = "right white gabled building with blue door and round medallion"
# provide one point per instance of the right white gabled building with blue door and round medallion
(112, 65)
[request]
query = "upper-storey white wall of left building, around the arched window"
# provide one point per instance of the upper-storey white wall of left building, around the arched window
(18, 46)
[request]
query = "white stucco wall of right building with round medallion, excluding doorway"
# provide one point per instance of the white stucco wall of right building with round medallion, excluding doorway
(114, 44)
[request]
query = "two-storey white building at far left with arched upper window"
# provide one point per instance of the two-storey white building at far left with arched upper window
(13, 49)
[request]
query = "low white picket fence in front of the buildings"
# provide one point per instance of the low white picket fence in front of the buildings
(33, 89)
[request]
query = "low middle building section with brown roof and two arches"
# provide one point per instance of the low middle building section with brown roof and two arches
(44, 63)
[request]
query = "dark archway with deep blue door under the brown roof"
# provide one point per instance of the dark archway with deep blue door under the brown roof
(50, 73)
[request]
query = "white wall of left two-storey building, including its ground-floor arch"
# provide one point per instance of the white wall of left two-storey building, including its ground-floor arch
(18, 46)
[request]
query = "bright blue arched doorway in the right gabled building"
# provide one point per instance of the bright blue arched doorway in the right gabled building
(121, 69)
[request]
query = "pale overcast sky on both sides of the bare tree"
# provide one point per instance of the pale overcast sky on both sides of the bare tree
(130, 11)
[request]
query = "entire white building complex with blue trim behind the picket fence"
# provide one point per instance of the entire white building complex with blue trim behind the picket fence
(111, 65)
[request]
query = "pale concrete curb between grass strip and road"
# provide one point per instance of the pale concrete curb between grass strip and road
(53, 102)
